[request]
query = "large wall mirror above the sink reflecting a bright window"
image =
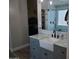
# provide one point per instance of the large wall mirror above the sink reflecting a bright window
(53, 15)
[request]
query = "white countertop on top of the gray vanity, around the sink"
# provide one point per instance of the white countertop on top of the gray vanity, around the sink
(45, 37)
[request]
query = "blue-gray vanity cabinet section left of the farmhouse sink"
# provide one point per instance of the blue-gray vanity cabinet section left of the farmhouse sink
(34, 48)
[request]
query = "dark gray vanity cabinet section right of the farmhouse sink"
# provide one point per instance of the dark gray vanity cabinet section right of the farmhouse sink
(59, 52)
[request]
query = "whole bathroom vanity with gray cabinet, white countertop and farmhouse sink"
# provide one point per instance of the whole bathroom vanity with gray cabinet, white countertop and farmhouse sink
(44, 47)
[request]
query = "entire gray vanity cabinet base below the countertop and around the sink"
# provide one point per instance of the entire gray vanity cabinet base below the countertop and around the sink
(40, 53)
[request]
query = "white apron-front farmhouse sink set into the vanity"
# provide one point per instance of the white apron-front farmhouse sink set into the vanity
(48, 43)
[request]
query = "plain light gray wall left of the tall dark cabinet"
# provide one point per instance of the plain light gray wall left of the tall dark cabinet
(18, 23)
